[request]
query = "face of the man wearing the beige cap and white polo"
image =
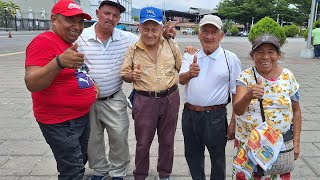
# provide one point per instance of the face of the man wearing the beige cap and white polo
(210, 37)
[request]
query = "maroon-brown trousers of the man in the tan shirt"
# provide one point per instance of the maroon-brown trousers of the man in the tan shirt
(150, 115)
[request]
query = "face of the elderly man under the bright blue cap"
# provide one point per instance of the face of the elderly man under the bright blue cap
(150, 33)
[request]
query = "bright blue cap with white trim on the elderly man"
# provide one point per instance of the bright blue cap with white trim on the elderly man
(151, 13)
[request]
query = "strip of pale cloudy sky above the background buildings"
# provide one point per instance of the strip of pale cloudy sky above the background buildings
(180, 5)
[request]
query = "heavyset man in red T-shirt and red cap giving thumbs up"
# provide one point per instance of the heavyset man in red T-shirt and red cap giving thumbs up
(61, 89)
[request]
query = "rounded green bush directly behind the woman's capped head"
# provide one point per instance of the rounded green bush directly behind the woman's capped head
(267, 25)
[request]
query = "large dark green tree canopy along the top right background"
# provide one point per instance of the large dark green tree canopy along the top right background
(242, 11)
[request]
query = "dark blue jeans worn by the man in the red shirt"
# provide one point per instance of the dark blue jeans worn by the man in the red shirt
(68, 142)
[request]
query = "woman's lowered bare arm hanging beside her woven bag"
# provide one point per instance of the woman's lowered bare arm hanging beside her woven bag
(297, 122)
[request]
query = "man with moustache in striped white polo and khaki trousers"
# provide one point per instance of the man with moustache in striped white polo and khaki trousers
(104, 47)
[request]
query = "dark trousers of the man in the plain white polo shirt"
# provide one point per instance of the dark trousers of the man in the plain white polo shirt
(205, 129)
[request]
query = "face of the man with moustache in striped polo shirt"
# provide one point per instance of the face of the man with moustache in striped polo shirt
(108, 16)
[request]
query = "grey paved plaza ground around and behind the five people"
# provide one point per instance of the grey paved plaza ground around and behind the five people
(24, 154)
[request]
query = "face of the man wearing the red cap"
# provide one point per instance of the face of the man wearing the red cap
(68, 28)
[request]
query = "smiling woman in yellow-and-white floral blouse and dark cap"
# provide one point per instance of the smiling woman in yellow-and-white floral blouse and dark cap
(279, 90)
